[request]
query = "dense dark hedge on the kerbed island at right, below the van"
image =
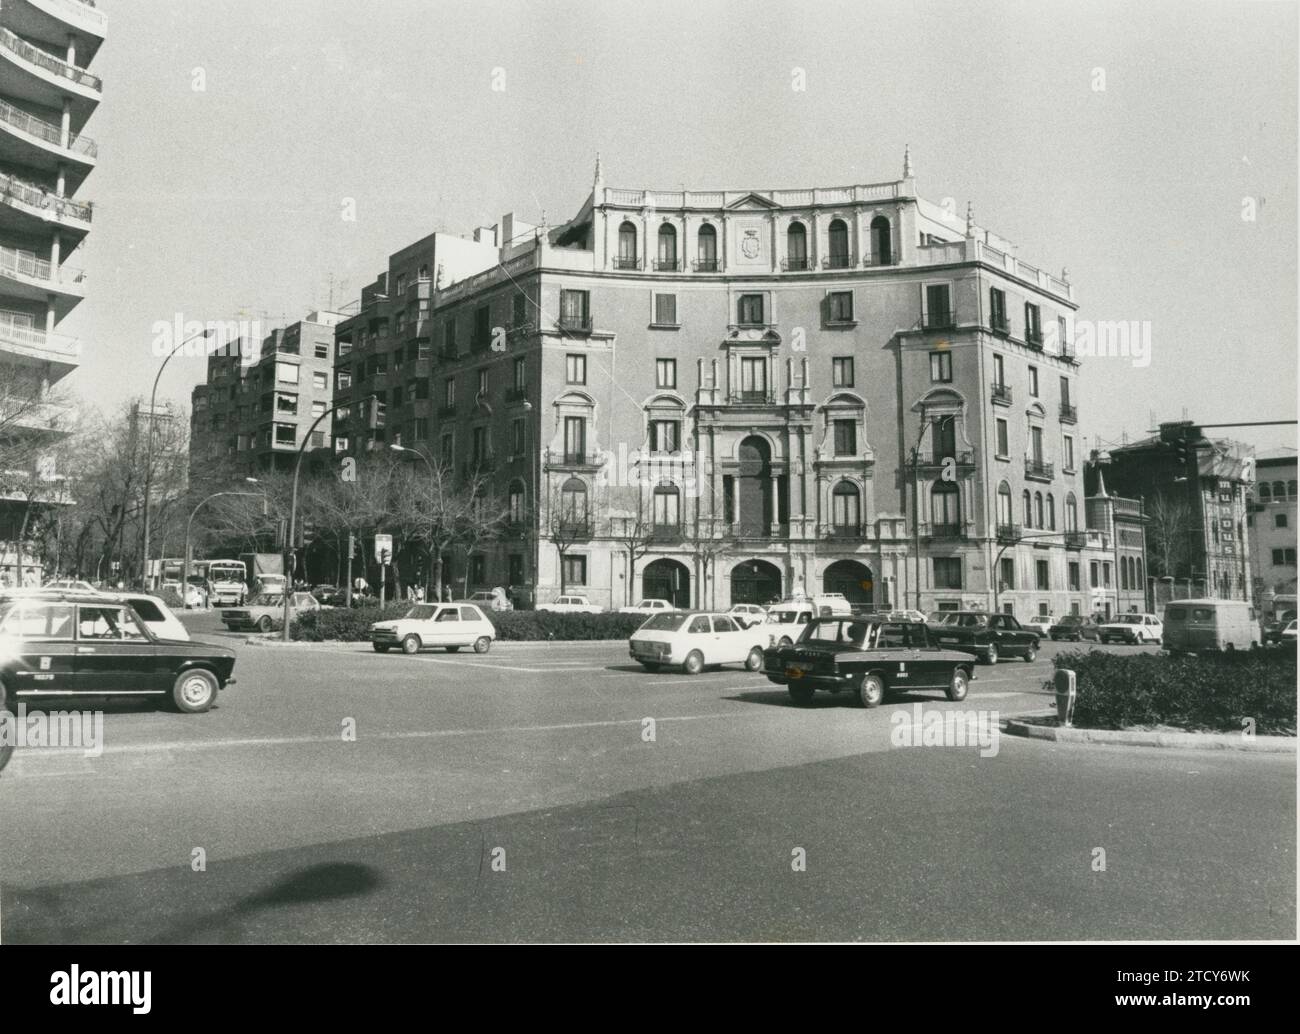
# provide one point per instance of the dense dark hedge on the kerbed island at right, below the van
(1211, 693)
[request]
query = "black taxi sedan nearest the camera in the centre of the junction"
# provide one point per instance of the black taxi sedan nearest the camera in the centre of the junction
(869, 657)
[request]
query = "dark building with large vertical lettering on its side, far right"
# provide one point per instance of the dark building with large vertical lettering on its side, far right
(1194, 492)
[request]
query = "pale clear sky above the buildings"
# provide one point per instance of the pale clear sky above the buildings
(1149, 148)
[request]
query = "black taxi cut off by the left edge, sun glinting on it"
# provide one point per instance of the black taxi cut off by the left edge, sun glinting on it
(86, 644)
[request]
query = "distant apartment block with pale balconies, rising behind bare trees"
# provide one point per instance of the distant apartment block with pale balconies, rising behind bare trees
(258, 413)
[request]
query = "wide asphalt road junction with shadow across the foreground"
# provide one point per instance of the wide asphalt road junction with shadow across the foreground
(339, 795)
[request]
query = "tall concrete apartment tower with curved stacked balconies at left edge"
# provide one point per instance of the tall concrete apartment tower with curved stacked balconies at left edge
(47, 96)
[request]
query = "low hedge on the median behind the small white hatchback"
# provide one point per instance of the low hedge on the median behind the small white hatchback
(353, 626)
